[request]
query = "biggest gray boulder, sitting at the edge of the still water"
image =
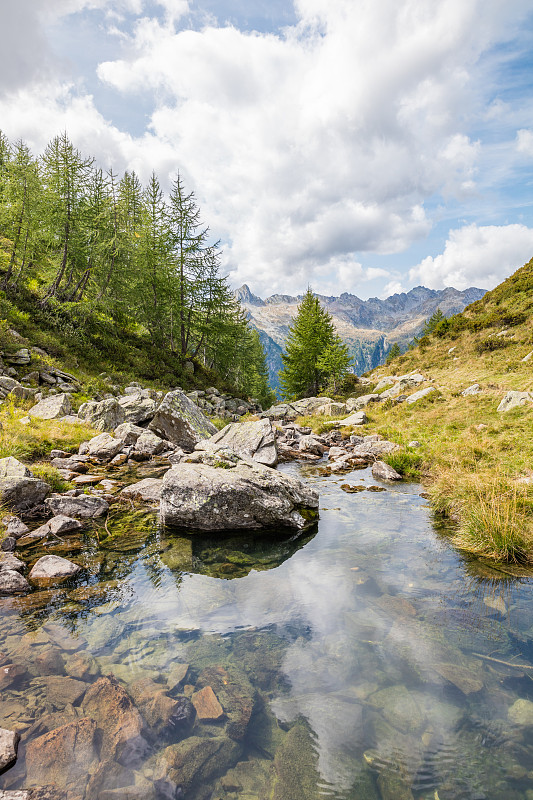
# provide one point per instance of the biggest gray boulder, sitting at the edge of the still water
(241, 495)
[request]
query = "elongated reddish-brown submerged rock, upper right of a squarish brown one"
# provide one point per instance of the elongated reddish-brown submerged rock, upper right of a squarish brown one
(118, 720)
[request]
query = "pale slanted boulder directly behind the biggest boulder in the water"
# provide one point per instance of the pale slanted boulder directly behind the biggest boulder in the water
(254, 439)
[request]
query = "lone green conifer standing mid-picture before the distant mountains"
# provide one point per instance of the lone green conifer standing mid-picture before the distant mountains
(308, 339)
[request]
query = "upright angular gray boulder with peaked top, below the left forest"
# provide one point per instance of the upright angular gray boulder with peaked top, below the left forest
(180, 421)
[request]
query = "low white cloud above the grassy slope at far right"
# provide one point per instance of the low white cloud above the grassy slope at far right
(476, 256)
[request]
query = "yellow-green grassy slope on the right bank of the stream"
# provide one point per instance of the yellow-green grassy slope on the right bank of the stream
(471, 457)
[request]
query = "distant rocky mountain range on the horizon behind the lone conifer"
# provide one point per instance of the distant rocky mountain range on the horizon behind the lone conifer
(369, 327)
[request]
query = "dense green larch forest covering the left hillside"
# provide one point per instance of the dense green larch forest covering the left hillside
(85, 245)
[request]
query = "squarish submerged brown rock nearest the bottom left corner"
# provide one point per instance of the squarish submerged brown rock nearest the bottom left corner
(63, 756)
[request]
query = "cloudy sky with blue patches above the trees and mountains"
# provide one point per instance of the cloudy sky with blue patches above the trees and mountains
(364, 146)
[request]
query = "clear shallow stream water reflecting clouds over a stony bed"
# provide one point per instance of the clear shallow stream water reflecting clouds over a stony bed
(380, 663)
